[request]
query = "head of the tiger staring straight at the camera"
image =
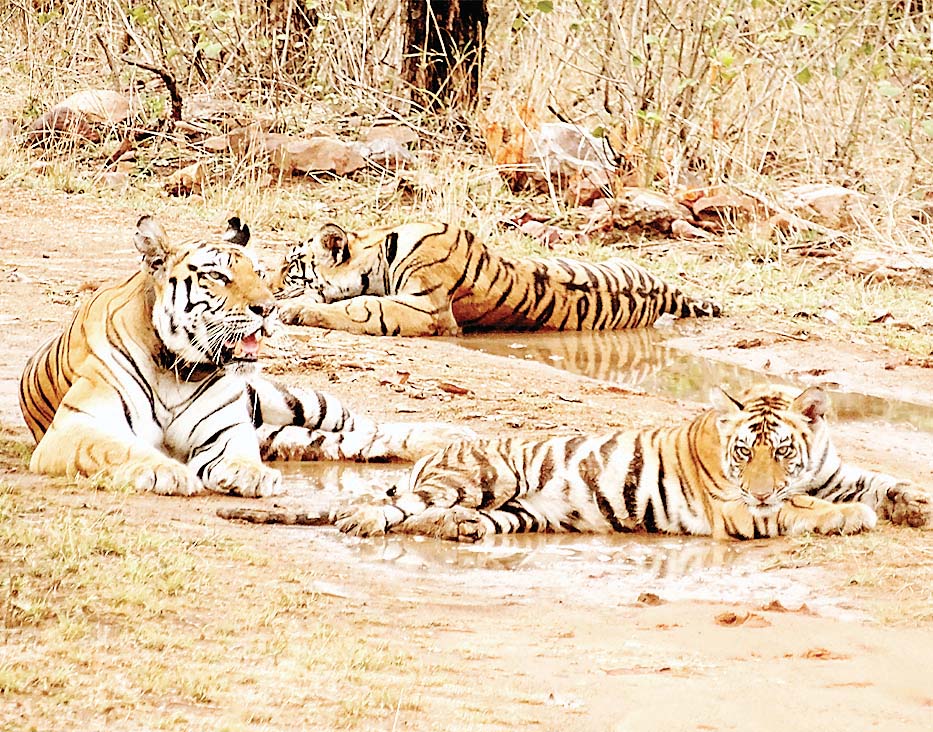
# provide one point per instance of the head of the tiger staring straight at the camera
(773, 439)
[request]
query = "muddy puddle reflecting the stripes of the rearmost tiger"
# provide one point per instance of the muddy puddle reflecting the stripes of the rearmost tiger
(638, 359)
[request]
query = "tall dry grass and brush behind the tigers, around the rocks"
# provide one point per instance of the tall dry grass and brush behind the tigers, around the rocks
(763, 97)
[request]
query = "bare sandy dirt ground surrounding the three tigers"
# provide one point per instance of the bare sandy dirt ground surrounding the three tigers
(524, 635)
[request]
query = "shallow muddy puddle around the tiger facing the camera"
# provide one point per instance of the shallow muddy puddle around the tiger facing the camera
(591, 569)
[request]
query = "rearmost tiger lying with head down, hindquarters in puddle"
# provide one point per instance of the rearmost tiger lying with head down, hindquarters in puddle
(435, 279)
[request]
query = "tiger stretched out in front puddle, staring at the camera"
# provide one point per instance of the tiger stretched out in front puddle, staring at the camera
(760, 466)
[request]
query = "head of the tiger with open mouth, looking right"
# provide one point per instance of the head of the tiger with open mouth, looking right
(211, 304)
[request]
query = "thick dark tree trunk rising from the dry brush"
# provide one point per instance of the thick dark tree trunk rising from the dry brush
(444, 42)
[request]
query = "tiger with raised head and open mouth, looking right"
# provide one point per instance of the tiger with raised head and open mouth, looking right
(163, 365)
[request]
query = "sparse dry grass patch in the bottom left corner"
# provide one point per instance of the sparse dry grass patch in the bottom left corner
(106, 623)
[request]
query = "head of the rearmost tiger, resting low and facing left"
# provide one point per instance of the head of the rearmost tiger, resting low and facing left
(332, 265)
